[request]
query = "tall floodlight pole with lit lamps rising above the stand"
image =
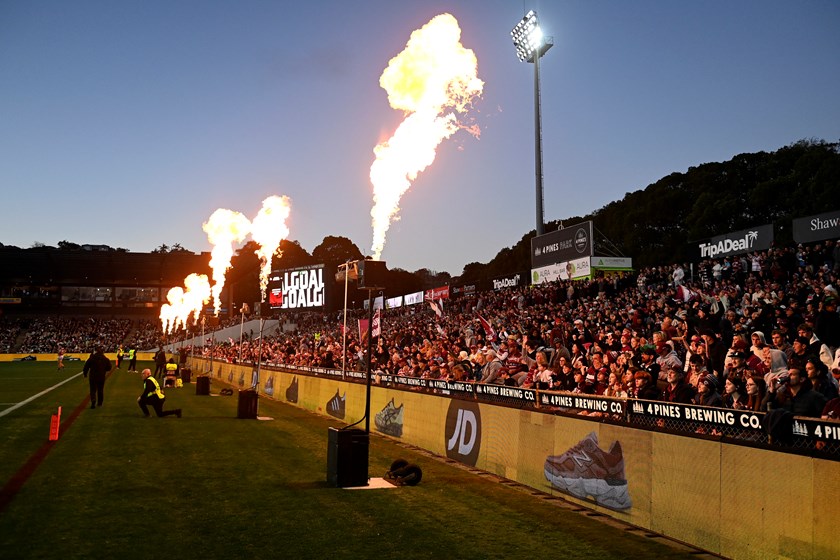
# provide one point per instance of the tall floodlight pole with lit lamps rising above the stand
(530, 45)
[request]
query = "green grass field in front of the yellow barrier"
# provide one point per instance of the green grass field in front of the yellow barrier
(208, 485)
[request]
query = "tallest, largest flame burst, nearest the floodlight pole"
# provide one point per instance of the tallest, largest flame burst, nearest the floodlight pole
(432, 75)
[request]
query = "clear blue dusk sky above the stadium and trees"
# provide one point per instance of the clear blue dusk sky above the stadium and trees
(129, 123)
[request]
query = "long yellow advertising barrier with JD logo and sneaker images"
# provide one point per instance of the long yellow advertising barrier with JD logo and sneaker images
(740, 499)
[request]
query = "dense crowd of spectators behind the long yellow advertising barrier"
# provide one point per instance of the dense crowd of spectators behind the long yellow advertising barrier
(758, 331)
